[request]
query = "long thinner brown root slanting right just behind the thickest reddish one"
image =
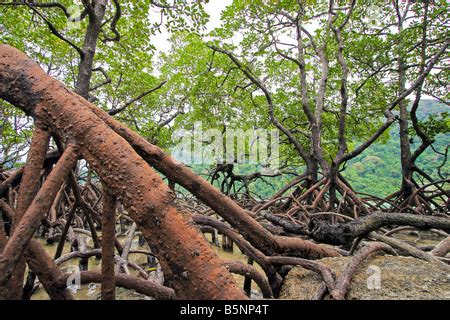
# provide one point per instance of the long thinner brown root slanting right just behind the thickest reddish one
(237, 217)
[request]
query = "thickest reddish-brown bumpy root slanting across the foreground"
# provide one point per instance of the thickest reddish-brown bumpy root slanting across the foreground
(190, 265)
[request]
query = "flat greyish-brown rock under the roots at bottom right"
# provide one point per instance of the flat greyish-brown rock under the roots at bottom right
(401, 278)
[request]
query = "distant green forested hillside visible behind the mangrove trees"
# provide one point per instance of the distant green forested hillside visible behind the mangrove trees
(377, 171)
